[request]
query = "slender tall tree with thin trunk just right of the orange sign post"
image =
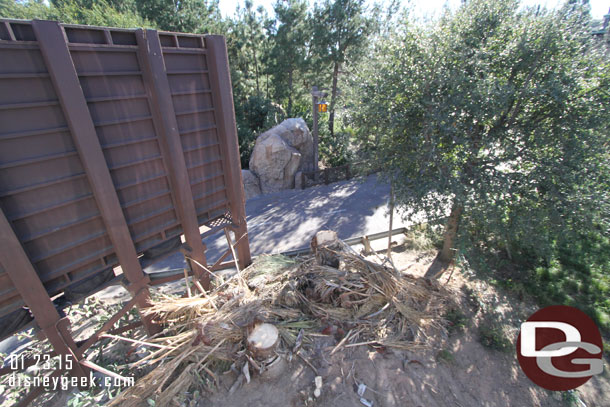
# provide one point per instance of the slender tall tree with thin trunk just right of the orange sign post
(340, 33)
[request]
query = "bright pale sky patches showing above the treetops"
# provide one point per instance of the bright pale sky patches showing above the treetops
(423, 8)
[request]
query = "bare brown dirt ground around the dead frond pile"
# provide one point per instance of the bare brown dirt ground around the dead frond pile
(455, 370)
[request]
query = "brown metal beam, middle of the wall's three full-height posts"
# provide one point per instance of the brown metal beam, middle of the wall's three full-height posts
(150, 56)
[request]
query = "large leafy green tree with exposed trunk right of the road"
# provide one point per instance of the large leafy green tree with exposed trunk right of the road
(496, 116)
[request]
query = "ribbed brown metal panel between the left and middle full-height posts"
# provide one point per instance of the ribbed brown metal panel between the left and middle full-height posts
(116, 94)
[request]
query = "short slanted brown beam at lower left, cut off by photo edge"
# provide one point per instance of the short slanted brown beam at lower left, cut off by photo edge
(17, 265)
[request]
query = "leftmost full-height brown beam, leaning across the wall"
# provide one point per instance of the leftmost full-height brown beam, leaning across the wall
(52, 42)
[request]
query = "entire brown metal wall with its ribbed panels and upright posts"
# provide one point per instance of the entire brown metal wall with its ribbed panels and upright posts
(159, 120)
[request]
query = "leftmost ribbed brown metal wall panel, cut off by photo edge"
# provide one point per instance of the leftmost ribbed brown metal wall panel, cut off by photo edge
(44, 190)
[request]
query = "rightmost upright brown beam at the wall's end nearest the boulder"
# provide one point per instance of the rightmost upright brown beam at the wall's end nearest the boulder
(222, 93)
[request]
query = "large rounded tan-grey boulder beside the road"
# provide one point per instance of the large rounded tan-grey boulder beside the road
(280, 152)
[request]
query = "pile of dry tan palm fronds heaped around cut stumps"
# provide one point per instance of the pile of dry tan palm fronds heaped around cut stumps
(360, 302)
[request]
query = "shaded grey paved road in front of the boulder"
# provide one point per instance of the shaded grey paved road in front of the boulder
(287, 220)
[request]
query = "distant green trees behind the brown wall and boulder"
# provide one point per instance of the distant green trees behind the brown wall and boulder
(275, 60)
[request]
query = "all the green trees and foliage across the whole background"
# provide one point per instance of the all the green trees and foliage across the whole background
(495, 108)
